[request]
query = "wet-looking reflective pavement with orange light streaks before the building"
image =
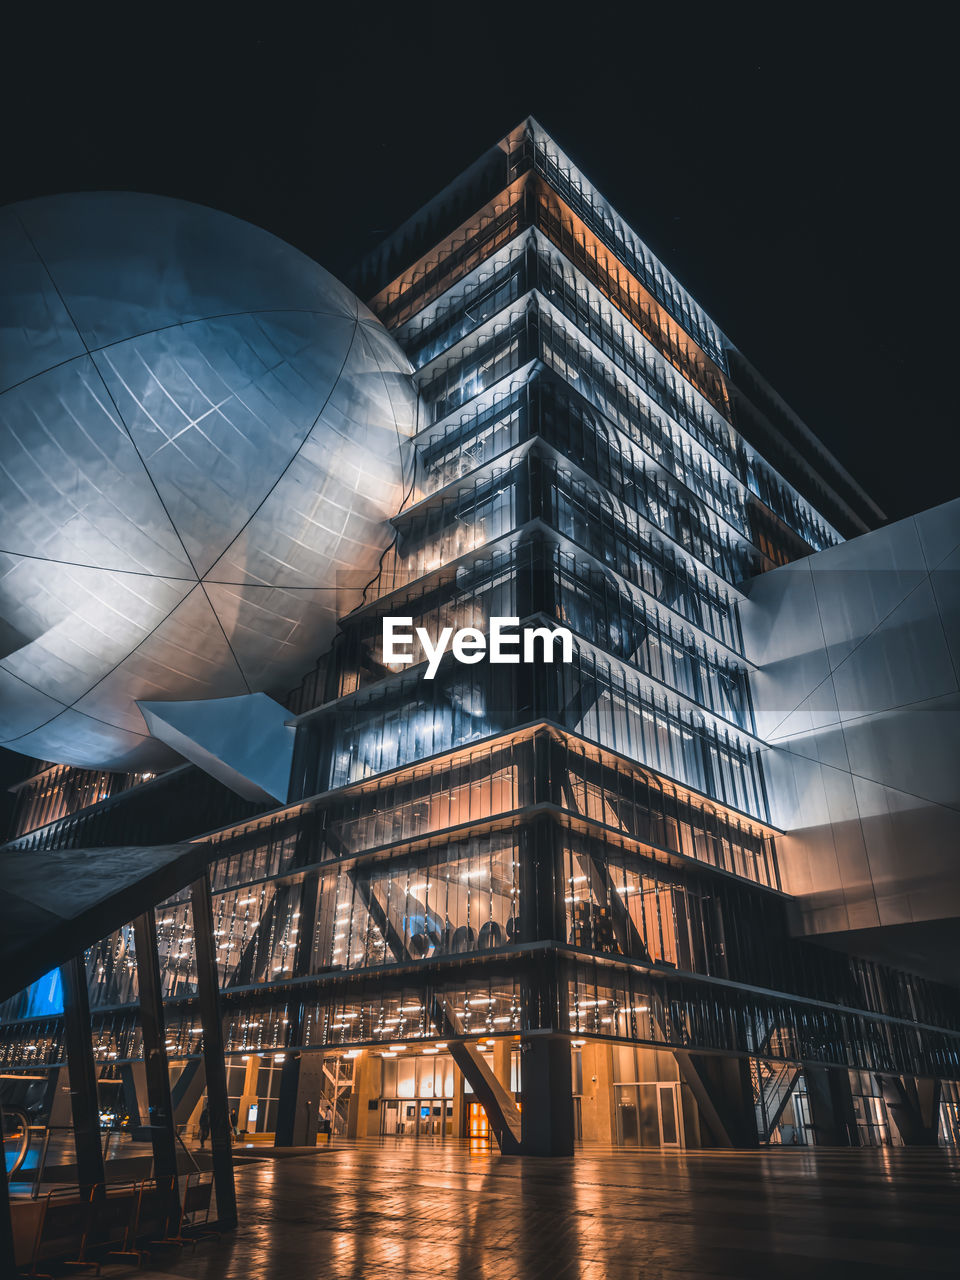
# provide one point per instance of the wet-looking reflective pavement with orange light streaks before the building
(396, 1209)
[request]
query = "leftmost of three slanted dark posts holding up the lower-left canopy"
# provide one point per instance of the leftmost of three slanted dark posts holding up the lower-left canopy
(84, 1078)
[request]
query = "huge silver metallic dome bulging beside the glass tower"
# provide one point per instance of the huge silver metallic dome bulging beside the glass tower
(200, 429)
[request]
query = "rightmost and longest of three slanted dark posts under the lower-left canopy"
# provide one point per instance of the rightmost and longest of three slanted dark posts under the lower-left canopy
(214, 1064)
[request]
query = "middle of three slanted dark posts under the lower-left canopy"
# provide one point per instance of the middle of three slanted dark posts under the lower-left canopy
(152, 1020)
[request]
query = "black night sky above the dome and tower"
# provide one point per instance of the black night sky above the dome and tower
(793, 166)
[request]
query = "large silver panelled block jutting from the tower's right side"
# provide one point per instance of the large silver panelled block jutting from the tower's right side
(860, 698)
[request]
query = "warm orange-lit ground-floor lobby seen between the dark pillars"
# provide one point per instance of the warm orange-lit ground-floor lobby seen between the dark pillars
(623, 1095)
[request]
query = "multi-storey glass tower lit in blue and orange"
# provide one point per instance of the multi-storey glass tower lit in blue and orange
(545, 900)
